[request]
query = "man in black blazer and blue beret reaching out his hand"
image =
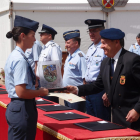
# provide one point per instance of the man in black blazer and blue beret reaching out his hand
(120, 77)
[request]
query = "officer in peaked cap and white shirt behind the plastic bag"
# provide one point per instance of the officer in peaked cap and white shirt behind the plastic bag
(50, 50)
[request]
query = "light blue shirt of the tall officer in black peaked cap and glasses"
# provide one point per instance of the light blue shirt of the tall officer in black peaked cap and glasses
(94, 57)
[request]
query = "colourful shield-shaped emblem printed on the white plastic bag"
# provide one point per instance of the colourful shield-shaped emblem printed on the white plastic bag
(50, 72)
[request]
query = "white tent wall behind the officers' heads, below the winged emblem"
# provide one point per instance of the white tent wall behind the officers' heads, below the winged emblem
(126, 20)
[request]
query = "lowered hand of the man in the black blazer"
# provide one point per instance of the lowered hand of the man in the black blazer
(132, 116)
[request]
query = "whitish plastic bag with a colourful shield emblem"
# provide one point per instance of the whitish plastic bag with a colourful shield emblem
(50, 74)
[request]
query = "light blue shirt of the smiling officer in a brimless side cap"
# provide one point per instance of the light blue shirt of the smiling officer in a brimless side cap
(74, 69)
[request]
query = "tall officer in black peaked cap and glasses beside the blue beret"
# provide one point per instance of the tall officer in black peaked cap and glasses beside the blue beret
(94, 57)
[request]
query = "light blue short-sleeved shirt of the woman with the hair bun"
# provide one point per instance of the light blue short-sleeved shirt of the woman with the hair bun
(17, 72)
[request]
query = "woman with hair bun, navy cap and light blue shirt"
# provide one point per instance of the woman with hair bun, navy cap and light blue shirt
(21, 113)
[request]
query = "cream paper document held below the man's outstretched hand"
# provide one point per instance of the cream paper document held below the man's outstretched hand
(72, 98)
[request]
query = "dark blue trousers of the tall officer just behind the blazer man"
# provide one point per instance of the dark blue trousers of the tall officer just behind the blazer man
(95, 106)
